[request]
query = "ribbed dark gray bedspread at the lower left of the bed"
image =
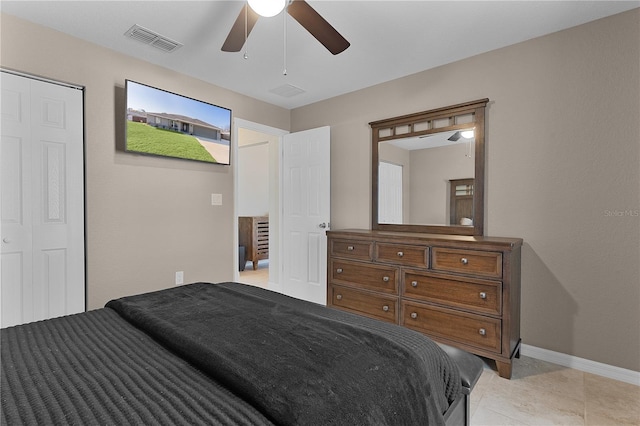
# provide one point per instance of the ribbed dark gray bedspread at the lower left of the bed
(96, 369)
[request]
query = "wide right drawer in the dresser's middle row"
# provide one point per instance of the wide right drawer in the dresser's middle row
(481, 296)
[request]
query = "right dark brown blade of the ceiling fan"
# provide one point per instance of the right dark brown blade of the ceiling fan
(311, 20)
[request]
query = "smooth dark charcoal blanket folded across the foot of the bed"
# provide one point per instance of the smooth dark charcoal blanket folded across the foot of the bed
(296, 362)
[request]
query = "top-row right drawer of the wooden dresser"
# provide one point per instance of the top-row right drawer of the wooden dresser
(484, 263)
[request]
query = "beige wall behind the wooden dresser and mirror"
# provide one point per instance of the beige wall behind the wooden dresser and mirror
(563, 139)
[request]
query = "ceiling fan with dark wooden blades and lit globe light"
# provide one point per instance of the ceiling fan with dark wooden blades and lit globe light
(299, 10)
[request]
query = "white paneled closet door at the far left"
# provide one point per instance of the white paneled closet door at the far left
(42, 200)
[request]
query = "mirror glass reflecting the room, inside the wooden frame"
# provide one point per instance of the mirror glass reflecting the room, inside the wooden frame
(427, 180)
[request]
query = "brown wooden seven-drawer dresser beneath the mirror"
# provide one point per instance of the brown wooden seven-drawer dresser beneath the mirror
(460, 290)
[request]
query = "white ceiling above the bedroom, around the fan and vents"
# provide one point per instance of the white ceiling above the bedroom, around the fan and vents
(389, 39)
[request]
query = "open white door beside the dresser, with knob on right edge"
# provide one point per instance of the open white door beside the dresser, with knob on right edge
(306, 211)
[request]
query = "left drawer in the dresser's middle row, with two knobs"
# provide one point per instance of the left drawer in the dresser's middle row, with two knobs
(365, 275)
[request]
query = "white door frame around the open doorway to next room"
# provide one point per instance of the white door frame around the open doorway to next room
(275, 268)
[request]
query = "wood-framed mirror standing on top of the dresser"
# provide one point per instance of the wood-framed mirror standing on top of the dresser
(428, 171)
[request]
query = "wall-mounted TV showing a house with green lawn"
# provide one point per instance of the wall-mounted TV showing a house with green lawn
(166, 124)
